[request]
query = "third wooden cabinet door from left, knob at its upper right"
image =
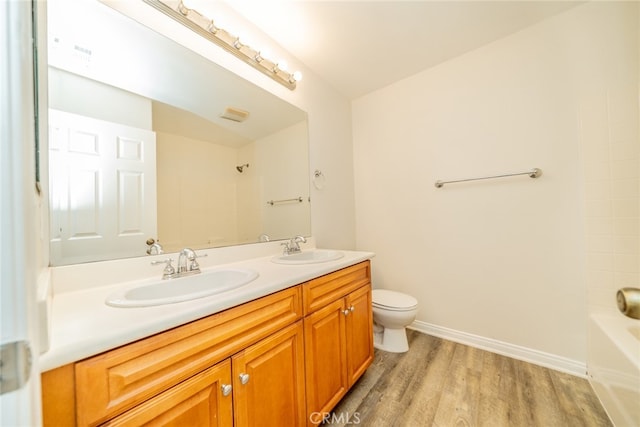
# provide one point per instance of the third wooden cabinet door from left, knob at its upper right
(326, 357)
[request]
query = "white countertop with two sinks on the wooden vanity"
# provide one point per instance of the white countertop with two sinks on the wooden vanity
(82, 325)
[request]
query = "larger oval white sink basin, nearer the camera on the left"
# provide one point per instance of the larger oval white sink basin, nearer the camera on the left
(159, 292)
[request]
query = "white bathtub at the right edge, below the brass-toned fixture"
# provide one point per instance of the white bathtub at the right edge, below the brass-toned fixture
(613, 366)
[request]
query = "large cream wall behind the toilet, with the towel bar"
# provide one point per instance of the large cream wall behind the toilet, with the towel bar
(499, 261)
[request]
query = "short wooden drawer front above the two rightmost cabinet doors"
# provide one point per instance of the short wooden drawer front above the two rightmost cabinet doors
(319, 292)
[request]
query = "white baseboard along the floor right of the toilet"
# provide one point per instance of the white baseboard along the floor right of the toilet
(536, 357)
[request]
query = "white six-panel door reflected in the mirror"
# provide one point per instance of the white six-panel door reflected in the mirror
(102, 192)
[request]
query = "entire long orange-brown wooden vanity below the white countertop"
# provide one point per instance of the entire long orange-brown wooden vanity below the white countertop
(275, 359)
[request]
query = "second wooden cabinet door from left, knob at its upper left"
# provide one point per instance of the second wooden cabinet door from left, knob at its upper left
(268, 381)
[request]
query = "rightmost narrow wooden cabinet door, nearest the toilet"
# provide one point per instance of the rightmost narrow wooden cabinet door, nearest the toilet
(359, 332)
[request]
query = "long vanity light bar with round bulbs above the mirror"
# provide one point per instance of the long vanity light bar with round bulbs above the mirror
(208, 29)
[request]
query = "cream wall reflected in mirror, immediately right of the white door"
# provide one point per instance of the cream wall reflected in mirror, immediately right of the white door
(197, 197)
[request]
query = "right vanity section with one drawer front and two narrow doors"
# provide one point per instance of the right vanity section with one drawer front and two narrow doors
(338, 328)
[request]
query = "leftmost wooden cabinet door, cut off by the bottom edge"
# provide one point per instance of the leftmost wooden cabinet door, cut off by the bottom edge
(202, 400)
